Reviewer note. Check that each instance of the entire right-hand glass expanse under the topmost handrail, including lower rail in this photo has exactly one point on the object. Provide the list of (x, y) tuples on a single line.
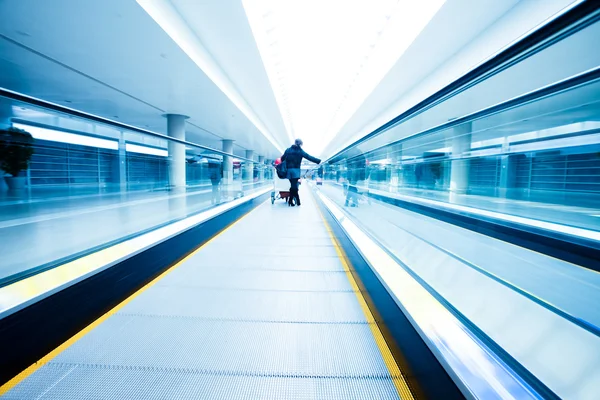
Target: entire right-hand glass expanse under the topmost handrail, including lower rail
[(520, 139)]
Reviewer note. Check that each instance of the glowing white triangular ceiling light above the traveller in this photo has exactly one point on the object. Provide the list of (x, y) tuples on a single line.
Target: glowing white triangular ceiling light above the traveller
[(324, 57)]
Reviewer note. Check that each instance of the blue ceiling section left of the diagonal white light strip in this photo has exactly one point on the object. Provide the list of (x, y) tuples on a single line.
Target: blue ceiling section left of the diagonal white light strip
[(109, 58)]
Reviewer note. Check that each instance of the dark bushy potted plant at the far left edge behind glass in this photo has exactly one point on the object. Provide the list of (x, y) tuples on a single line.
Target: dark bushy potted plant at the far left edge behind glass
[(16, 149)]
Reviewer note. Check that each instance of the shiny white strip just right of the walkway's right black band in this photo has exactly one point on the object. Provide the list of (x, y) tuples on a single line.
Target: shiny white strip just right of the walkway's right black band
[(477, 372)]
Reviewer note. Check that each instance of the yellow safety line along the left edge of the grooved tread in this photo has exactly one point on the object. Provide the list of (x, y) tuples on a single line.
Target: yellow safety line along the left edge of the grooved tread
[(48, 357)]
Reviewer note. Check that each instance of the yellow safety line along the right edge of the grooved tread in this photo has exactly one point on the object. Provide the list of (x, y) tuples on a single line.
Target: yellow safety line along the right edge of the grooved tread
[(397, 377)]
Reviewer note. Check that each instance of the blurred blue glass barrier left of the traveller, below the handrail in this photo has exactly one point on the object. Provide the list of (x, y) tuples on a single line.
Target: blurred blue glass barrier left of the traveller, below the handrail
[(89, 184)]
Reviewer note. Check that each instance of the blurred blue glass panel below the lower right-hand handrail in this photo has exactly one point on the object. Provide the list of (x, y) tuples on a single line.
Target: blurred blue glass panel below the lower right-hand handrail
[(539, 159)]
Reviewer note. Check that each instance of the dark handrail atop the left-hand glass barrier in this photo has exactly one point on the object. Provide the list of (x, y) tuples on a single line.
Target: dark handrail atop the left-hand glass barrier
[(81, 114)]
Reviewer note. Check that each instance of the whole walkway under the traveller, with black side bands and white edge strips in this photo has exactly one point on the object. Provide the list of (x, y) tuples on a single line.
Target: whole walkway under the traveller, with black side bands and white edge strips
[(252, 301)]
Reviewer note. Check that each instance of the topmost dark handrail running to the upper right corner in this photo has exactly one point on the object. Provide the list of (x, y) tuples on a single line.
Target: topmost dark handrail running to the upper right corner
[(567, 24)]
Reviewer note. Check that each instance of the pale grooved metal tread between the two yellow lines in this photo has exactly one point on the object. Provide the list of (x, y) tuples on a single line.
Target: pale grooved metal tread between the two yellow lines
[(265, 311)]
